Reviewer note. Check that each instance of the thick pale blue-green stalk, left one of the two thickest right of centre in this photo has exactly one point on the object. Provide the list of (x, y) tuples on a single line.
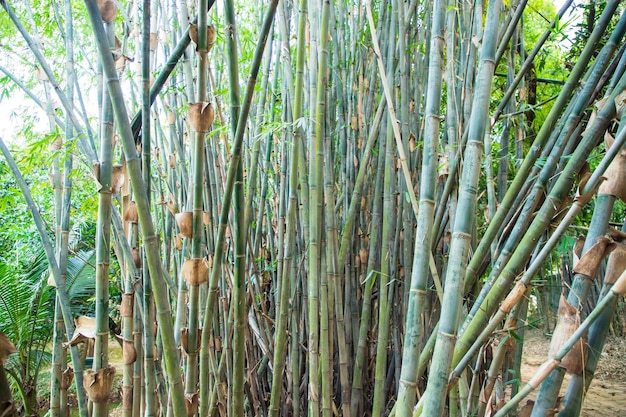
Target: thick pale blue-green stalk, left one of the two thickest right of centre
[(417, 293)]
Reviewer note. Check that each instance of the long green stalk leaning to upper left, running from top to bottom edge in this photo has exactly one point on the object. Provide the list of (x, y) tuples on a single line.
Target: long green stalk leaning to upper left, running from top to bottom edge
[(151, 241)]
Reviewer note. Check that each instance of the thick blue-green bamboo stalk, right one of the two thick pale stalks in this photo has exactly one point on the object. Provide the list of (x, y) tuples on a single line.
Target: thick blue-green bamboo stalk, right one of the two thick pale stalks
[(464, 221)]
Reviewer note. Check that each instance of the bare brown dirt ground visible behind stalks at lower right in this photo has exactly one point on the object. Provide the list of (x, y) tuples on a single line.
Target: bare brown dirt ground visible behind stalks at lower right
[(607, 393)]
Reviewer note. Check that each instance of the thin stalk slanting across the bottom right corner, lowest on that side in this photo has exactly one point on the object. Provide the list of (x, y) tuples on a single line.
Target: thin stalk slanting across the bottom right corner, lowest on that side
[(619, 288)]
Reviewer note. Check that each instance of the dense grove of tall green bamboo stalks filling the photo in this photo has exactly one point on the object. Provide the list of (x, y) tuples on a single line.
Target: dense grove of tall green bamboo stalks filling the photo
[(328, 208)]
